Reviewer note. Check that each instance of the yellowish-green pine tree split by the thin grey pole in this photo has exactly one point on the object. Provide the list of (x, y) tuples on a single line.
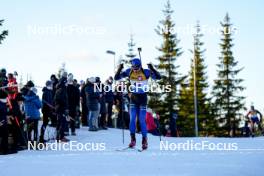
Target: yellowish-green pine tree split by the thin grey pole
[(186, 100)]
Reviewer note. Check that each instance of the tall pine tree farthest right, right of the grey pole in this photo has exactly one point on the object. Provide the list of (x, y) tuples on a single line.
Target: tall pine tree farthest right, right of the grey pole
[(227, 87)]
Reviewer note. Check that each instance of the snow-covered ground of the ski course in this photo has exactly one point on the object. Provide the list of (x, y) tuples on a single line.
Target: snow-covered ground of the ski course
[(247, 160)]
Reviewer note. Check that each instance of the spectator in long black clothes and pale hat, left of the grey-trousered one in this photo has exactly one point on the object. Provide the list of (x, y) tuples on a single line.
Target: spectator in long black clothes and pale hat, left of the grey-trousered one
[(74, 101)]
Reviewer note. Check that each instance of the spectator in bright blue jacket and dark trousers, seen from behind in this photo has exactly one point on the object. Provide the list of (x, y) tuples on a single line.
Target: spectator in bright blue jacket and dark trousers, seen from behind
[(32, 105)]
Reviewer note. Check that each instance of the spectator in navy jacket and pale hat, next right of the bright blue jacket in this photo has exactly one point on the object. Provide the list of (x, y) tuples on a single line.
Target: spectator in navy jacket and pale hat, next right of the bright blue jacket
[(47, 108)]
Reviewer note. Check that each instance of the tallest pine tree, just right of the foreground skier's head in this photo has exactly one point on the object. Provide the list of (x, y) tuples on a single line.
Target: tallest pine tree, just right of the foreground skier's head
[(167, 101)]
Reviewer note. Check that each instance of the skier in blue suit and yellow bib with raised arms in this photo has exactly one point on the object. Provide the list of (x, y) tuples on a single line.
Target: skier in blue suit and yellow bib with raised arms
[(138, 101)]
